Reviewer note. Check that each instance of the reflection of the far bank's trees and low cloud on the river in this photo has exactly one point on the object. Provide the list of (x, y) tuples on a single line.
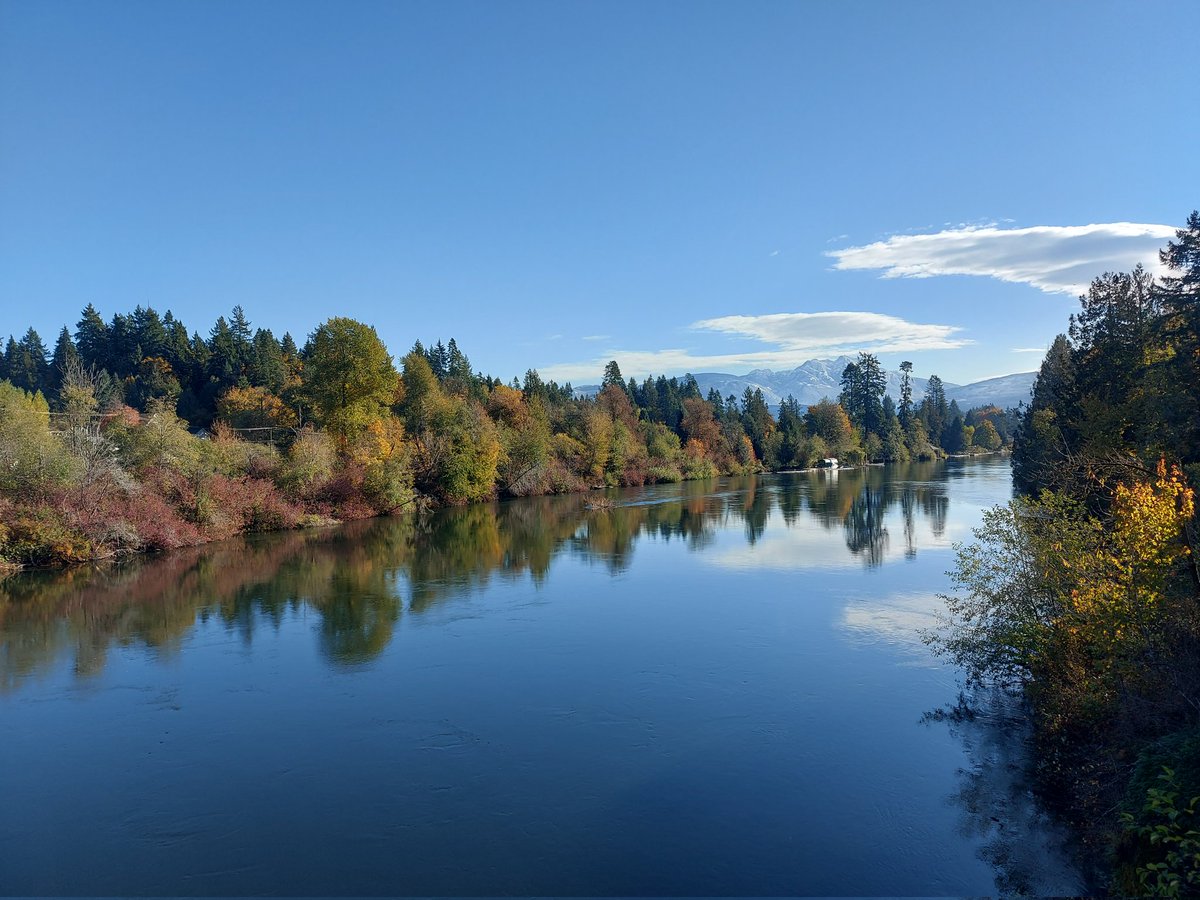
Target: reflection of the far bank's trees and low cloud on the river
[(361, 579)]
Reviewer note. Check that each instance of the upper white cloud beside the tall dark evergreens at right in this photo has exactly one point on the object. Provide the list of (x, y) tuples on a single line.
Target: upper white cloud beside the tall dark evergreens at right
[(1058, 260)]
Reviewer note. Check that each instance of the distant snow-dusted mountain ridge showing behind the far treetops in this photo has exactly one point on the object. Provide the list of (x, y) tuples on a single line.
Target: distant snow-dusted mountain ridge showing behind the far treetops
[(820, 379)]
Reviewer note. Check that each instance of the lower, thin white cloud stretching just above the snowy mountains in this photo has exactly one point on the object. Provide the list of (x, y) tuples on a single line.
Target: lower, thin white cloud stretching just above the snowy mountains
[(790, 339)]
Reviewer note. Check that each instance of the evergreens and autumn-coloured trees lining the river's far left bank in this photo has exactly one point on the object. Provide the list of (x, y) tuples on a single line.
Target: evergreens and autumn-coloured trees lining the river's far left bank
[(136, 435)]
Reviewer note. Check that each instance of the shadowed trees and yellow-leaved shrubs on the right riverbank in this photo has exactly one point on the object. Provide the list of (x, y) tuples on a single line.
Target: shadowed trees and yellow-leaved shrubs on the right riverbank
[(1084, 593)]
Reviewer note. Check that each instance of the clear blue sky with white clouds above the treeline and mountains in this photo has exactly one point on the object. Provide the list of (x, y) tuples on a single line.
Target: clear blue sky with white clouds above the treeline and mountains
[(676, 185)]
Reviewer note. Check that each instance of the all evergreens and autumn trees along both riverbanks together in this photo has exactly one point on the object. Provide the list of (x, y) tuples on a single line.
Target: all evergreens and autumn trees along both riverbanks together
[(1083, 596)]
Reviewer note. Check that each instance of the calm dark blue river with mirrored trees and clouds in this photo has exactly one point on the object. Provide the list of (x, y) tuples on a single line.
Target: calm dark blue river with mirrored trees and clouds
[(710, 689)]
